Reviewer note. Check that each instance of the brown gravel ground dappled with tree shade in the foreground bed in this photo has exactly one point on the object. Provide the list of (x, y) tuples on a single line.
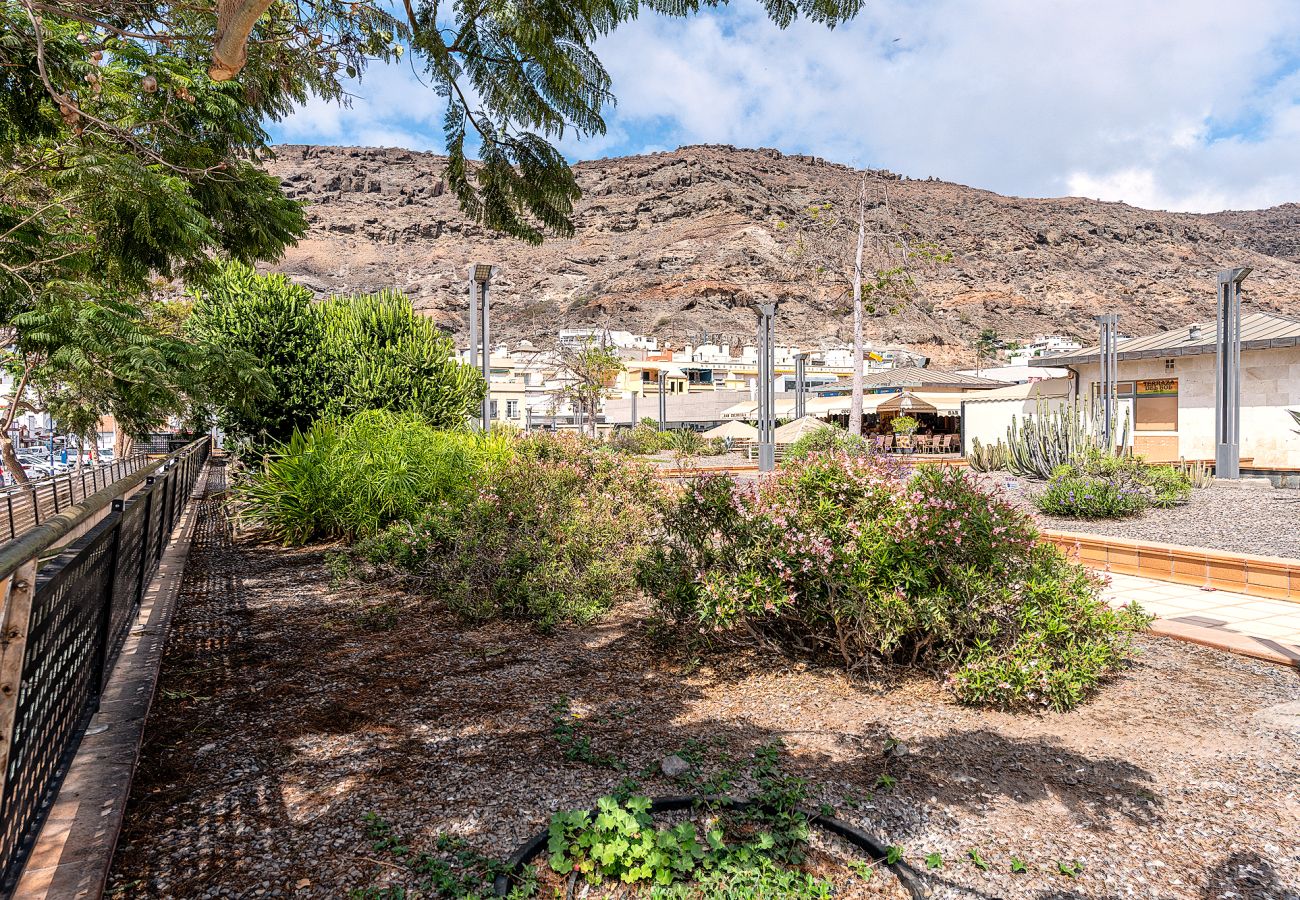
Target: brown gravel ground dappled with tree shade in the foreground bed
[(289, 709)]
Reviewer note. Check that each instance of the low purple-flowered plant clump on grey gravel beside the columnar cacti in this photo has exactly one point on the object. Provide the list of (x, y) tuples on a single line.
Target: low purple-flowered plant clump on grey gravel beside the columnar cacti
[(1106, 486)]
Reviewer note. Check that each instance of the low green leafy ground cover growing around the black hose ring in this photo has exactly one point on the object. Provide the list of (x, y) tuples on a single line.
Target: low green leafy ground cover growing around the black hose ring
[(716, 850)]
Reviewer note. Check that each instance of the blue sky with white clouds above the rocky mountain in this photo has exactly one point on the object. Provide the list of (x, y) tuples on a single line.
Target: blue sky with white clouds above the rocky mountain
[(1176, 105)]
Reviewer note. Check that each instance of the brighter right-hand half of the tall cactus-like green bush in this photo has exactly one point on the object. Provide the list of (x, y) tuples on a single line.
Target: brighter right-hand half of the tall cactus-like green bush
[(387, 357)]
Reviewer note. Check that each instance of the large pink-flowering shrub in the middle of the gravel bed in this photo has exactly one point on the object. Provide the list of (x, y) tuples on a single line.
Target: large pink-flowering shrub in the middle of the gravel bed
[(834, 556)]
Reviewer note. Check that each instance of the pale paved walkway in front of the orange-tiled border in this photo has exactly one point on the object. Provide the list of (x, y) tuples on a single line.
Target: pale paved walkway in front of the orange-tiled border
[(1260, 628)]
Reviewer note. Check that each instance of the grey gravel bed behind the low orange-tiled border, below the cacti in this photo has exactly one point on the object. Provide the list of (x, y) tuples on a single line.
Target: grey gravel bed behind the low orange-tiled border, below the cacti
[(1234, 520)]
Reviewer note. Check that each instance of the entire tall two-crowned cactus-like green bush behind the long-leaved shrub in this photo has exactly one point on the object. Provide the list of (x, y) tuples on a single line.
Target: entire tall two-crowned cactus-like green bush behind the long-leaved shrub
[(341, 357)]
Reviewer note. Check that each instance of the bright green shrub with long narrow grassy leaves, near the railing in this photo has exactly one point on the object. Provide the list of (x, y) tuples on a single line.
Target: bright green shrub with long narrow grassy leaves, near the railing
[(354, 477)]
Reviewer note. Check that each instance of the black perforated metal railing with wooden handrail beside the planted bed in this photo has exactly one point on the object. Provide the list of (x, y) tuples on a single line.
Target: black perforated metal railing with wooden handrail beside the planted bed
[(63, 625)]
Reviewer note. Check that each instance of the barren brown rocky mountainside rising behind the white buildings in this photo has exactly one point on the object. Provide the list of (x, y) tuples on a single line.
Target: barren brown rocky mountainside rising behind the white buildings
[(682, 244)]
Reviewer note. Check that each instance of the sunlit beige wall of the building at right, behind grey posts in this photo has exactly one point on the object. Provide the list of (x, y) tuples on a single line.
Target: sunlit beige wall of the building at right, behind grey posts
[(1271, 386)]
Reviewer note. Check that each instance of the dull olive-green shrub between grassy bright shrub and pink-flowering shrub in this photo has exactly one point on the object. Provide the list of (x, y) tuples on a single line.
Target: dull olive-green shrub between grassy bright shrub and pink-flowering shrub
[(553, 536)]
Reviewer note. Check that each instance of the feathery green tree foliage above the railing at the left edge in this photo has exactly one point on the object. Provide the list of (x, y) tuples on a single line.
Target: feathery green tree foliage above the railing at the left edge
[(123, 166)]
